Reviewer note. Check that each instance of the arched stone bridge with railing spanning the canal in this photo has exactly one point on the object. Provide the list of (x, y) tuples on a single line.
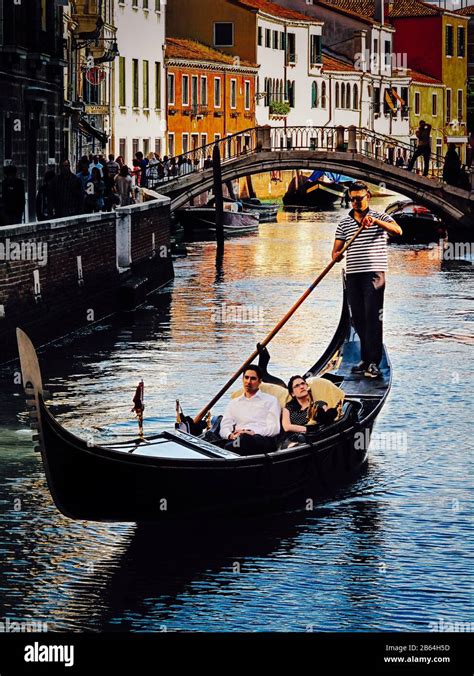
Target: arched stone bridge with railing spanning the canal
[(356, 152)]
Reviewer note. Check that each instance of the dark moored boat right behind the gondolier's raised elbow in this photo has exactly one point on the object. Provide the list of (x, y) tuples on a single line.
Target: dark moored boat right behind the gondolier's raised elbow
[(419, 224)]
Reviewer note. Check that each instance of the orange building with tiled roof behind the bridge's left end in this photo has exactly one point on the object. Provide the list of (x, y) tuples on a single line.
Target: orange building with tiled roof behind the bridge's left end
[(210, 95)]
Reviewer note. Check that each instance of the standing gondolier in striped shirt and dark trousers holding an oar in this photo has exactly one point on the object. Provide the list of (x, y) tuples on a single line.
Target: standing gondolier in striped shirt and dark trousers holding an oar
[(365, 269)]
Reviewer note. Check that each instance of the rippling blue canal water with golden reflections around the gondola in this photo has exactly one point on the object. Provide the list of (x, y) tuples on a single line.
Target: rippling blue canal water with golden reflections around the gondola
[(390, 552)]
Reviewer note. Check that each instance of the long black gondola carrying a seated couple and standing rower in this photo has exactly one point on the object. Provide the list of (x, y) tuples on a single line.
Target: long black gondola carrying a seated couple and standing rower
[(175, 475)]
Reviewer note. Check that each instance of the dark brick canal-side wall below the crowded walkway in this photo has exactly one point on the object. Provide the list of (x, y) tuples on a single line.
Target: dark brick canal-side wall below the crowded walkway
[(47, 292)]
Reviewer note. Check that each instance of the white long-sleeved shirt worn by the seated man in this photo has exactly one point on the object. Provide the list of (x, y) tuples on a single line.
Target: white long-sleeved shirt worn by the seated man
[(260, 414)]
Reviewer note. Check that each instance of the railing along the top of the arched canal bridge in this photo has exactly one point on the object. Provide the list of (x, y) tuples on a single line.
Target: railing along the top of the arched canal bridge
[(363, 141)]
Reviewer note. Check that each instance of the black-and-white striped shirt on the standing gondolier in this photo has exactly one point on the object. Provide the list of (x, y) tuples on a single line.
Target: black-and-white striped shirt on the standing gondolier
[(369, 251)]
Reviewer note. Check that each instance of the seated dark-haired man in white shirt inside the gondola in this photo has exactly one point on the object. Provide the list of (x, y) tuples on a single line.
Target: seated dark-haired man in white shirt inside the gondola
[(251, 422)]
